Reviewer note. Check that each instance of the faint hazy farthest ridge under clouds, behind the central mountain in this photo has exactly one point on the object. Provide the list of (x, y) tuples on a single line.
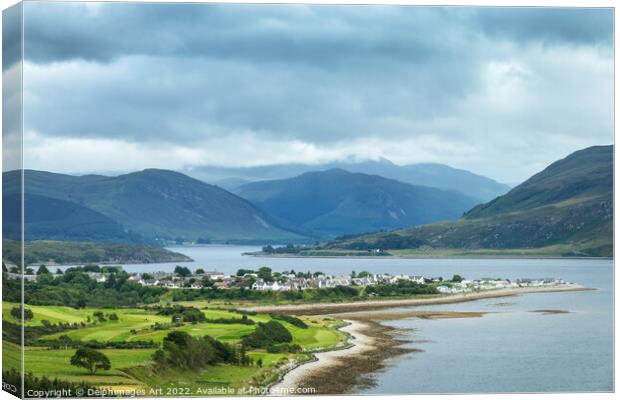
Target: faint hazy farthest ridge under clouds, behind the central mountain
[(432, 175)]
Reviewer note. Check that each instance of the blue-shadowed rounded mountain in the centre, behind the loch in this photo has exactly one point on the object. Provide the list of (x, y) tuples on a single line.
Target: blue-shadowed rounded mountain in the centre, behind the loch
[(336, 202)]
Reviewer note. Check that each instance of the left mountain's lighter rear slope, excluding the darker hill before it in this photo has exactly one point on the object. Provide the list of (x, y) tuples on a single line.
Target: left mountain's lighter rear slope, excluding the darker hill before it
[(158, 204)]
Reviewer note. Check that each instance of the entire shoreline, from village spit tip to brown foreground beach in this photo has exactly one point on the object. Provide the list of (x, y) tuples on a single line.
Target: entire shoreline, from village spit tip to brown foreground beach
[(370, 343)]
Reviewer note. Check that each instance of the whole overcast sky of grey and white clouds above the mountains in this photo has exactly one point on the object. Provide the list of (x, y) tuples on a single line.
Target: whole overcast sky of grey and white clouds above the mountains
[(502, 92)]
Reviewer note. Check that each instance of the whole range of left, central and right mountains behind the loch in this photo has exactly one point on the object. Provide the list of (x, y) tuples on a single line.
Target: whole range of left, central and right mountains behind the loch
[(566, 209)]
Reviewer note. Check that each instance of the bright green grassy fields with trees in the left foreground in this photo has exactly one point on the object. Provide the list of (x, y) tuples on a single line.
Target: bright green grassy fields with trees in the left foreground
[(130, 367)]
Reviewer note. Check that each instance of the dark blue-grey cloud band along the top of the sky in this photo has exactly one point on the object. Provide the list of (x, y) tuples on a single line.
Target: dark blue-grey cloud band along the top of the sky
[(320, 35)]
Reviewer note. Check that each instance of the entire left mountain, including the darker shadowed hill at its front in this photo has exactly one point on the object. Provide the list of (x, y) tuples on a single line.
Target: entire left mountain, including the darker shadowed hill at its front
[(151, 203)]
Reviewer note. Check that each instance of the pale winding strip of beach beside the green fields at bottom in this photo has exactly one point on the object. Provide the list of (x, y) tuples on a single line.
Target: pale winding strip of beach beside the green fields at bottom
[(360, 343)]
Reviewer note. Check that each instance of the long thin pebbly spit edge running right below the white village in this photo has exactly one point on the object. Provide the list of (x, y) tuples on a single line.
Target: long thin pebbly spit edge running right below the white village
[(330, 308)]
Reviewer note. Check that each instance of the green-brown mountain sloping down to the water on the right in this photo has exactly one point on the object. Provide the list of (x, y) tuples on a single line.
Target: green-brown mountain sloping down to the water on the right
[(567, 209)]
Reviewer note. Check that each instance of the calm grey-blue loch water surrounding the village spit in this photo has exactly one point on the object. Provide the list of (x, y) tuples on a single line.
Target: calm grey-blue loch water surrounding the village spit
[(508, 350)]
